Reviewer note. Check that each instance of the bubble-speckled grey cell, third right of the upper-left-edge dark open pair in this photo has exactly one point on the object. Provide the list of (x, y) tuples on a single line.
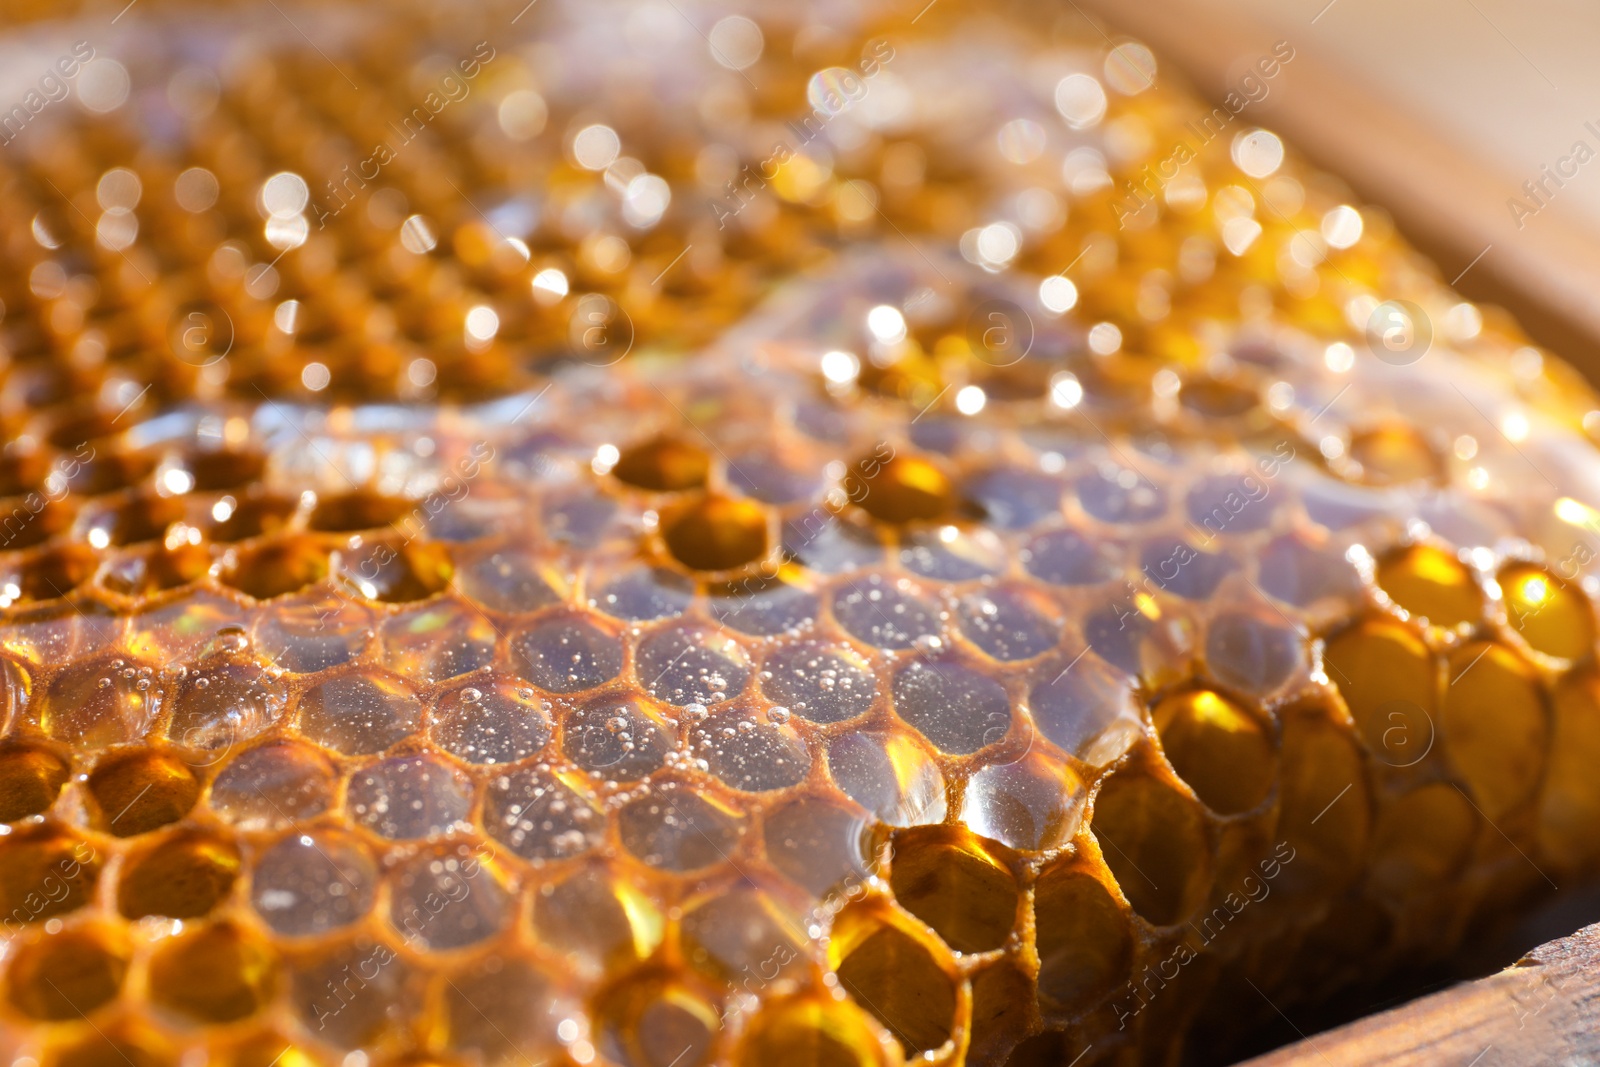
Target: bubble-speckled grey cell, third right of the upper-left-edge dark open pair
[(542, 817)]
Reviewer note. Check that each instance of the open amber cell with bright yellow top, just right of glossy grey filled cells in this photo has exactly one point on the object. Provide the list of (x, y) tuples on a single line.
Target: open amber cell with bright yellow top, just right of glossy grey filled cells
[(1218, 748)]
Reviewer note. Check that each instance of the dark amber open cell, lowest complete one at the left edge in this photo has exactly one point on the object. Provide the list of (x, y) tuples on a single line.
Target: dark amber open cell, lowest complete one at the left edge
[(65, 977)]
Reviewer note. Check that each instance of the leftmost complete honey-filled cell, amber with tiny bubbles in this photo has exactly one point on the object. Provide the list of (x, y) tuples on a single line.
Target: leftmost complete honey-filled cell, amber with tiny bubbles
[(97, 703)]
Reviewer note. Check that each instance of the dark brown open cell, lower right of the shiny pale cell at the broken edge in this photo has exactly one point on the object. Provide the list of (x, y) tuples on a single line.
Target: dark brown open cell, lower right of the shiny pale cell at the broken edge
[(1086, 945)]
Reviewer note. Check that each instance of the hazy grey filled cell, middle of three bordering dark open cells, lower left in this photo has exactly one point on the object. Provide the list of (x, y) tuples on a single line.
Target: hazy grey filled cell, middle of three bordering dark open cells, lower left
[(313, 884)]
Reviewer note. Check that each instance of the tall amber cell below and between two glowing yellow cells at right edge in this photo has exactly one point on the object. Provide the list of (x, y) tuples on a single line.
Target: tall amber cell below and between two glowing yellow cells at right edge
[(1495, 725)]
